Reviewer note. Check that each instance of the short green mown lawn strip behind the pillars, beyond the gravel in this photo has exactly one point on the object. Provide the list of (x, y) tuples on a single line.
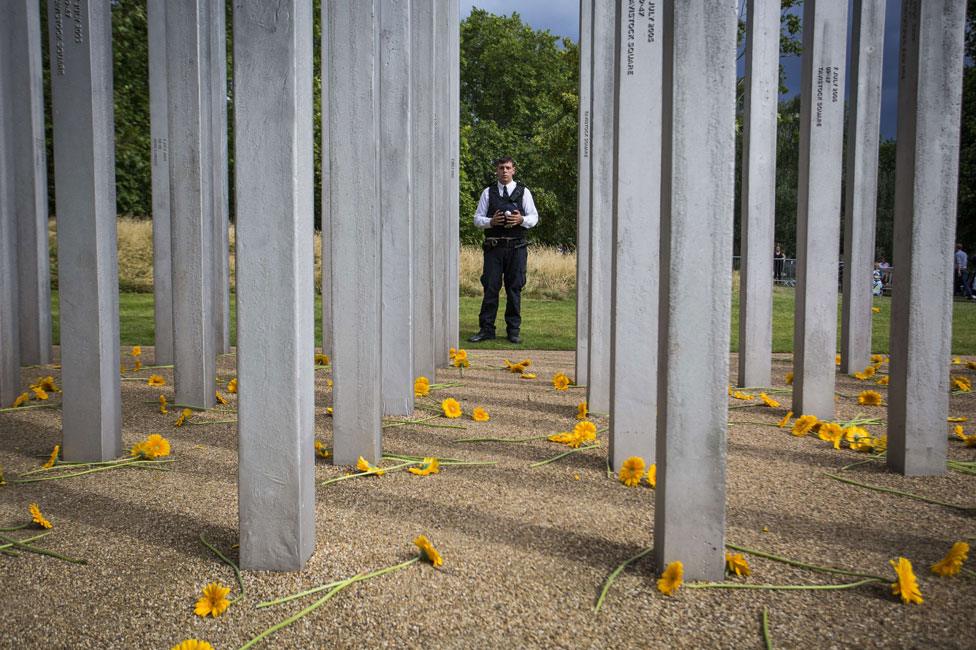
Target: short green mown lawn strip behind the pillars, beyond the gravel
[(551, 324)]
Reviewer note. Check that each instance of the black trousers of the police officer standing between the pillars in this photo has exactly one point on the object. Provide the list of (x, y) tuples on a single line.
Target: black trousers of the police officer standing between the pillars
[(508, 263)]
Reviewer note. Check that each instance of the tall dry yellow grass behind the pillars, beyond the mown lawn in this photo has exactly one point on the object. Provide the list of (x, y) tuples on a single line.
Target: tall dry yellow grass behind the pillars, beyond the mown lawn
[(551, 274)]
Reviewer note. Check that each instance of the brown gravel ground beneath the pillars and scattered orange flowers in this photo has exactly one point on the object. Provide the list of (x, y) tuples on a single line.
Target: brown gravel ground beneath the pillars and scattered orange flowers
[(525, 550)]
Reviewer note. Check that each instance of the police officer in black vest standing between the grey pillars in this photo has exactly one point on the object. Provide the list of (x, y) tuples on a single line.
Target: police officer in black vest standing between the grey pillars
[(506, 210)]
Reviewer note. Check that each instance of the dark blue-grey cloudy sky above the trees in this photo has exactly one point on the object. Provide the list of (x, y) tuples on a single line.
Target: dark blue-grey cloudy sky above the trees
[(561, 17)]
